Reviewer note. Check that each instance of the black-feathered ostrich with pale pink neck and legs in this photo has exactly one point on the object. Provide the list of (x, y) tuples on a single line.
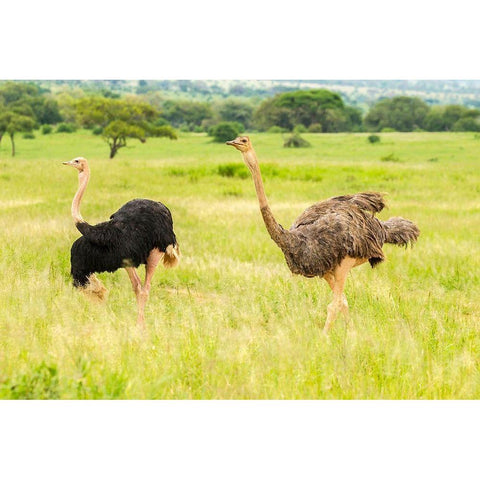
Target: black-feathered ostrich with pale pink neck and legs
[(140, 232)]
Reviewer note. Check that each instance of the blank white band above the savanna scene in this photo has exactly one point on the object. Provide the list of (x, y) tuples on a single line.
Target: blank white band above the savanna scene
[(189, 39)]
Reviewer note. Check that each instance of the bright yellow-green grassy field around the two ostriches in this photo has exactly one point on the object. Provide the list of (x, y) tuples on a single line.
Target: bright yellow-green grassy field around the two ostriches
[(231, 322)]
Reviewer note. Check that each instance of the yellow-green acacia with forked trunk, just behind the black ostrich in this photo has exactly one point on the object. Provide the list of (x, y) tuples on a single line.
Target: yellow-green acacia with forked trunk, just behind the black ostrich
[(121, 119)]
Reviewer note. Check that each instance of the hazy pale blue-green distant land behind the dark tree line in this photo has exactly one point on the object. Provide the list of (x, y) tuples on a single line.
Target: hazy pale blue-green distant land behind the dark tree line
[(361, 93)]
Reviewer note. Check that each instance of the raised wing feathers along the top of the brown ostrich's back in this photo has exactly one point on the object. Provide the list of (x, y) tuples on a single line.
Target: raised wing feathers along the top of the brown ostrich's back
[(372, 202)]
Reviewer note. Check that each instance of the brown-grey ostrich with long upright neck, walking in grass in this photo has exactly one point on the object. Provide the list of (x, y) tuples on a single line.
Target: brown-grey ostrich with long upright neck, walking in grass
[(331, 237)]
